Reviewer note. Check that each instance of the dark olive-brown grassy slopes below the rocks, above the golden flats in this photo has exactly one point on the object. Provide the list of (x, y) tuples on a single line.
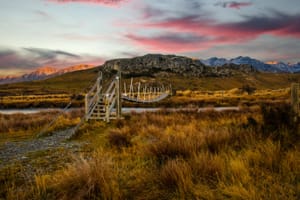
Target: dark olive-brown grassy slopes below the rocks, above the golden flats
[(79, 81)]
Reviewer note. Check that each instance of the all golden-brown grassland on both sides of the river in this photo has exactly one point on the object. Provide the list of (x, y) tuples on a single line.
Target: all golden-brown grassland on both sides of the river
[(251, 153)]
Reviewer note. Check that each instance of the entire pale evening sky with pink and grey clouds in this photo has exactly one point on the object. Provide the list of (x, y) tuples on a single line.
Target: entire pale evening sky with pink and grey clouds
[(61, 33)]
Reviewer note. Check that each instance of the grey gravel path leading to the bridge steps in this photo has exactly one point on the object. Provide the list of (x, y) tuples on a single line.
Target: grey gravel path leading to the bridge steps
[(12, 152)]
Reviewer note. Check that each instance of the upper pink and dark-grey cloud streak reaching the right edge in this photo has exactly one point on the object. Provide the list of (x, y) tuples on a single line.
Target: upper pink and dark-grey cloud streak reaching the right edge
[(250, 28)]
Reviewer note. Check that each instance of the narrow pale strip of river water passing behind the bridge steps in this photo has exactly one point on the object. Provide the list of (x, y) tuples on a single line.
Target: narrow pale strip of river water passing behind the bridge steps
[(124, 110)]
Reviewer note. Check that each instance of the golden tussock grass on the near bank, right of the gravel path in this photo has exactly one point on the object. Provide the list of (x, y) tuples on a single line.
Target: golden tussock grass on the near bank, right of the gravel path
[(252, 153)]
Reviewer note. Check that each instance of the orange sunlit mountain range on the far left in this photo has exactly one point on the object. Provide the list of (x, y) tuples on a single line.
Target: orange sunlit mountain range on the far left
[(43, 73)]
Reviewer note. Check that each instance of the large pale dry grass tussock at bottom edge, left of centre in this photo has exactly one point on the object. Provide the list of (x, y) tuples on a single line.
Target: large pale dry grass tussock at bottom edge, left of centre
[(84, 179)]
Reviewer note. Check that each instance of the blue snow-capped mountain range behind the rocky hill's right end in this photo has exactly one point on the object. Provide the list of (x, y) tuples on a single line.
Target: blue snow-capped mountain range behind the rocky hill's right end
[(273, 66)]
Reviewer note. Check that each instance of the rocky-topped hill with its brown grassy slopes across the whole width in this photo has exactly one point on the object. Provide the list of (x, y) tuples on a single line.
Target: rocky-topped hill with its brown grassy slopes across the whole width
[(149, 68)]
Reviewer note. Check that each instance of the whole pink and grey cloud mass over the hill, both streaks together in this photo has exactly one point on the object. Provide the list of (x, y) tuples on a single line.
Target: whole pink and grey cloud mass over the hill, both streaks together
[(215, 33)]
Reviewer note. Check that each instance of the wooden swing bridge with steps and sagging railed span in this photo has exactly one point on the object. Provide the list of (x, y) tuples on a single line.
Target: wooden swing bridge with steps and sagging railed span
[(106, 103)]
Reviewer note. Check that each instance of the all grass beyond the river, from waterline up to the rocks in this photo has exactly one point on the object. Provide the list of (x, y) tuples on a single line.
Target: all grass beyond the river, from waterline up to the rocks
[(205, 91)]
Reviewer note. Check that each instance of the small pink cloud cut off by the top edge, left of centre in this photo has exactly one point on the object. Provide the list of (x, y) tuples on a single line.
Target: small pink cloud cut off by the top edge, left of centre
[(100, 2)]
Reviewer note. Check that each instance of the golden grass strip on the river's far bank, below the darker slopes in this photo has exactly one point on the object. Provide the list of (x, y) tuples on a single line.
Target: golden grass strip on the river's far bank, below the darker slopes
[(186, 98)]
